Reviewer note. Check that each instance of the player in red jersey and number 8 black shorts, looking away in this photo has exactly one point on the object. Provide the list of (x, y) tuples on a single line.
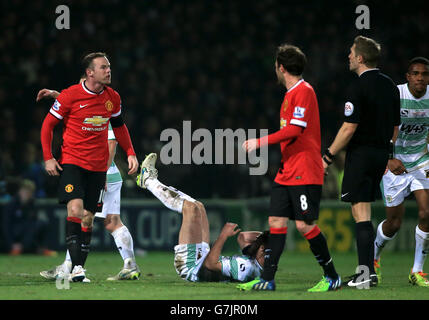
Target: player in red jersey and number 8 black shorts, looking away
[(297, 188)]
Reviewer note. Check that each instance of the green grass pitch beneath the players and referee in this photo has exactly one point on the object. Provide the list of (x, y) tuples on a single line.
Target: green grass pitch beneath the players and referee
[(20, 279)]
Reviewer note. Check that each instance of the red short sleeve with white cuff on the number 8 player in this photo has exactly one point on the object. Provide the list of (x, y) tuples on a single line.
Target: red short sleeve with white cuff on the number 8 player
[(305, 104)]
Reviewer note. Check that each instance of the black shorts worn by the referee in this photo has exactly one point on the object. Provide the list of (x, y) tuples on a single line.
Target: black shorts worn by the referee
[(364, 167)]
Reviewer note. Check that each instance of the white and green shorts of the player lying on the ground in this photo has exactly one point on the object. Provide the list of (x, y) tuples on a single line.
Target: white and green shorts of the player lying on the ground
[(189, 258)]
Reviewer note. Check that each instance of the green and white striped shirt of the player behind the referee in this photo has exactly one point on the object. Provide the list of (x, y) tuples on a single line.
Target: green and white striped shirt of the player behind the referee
[(411, 144)]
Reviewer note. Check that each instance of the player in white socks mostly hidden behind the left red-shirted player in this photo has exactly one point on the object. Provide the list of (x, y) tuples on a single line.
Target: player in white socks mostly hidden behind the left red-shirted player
[(110, 213)]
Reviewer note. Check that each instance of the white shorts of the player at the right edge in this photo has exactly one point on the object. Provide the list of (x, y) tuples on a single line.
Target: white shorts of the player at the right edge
[(395, 188)]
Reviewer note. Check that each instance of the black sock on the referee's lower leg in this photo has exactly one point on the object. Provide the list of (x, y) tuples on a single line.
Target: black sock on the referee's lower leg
[(365, 244)]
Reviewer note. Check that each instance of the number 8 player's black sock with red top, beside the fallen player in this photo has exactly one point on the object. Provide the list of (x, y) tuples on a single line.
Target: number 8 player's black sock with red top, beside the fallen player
[(273, 251)]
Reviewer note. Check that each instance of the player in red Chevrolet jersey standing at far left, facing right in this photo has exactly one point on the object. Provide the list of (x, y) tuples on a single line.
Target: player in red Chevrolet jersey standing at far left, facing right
[(86, 110)]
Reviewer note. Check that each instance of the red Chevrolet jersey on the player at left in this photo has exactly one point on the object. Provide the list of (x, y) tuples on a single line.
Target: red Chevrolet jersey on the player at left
[(86, 116)]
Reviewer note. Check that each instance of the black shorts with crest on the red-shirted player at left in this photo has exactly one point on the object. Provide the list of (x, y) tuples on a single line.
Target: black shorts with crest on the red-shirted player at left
[(78, 183)]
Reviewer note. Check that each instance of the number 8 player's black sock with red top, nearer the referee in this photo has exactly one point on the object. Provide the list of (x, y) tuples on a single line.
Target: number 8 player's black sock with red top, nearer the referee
[(319, 247)]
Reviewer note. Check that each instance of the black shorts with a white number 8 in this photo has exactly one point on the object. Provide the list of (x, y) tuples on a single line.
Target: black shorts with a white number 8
[(295, 202)]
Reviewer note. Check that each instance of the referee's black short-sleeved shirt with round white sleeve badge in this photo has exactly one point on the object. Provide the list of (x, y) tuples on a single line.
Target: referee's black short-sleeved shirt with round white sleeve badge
[(374, 104)]
